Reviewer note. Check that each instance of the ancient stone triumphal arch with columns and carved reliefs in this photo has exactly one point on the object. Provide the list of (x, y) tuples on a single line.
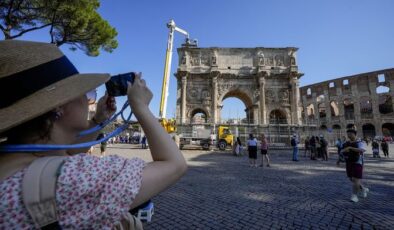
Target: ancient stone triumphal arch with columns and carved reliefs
[(266, 80)]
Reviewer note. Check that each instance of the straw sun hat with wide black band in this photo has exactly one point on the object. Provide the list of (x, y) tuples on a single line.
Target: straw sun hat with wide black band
[(36, 78)]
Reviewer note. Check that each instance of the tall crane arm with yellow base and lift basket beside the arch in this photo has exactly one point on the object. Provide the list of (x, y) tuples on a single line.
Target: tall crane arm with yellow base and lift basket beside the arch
[(170, 125)]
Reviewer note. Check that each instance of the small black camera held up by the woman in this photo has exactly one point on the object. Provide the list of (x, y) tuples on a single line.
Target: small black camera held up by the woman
[(117, 85)]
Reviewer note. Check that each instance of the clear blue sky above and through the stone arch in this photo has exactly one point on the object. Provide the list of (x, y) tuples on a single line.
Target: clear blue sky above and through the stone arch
[(335, 37)]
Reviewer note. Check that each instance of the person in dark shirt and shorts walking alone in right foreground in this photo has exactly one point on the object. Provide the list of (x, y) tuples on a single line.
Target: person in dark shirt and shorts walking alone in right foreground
[(353, 150)]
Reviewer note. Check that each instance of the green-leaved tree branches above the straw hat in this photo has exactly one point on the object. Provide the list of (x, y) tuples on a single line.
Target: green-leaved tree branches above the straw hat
[(73, 22)]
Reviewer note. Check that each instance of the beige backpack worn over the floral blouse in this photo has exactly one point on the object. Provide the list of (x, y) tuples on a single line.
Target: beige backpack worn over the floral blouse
[(39, 190)]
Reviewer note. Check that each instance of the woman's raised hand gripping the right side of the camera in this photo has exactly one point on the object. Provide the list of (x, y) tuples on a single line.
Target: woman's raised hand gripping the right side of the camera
[(138, 94)]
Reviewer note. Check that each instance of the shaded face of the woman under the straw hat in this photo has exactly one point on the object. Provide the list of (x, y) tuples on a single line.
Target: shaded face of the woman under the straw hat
[(75, 115)]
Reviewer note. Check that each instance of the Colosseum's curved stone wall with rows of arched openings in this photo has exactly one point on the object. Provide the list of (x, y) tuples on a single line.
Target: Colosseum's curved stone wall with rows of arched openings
[(364, 101)]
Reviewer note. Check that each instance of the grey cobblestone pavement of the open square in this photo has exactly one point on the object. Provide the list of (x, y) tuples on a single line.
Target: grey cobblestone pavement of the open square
[(221, 191)]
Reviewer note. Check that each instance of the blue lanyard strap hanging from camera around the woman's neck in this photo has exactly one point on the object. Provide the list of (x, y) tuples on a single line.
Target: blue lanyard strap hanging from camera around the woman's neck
[(44, 147)]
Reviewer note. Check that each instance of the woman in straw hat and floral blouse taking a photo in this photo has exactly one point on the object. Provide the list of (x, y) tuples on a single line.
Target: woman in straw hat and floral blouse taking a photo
[(44, 100)]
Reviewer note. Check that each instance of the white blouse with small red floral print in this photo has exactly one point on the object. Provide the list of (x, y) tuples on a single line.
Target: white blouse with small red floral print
[(91, 193)]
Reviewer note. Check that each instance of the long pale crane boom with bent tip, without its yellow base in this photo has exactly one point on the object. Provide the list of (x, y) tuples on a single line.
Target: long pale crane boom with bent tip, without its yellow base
[(167, 66)]
